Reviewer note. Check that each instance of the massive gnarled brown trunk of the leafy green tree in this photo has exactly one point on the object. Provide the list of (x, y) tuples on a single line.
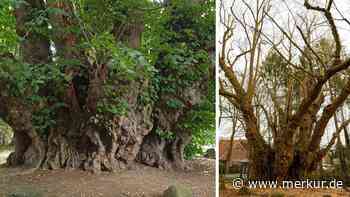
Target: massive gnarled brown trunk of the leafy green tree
[(82, 137)]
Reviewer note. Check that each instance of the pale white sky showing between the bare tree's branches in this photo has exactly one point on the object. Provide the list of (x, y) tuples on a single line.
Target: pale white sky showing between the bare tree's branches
[(280, 12)]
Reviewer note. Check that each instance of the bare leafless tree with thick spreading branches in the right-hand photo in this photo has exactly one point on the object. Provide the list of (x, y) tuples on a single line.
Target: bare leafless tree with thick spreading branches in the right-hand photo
[(292, 94)]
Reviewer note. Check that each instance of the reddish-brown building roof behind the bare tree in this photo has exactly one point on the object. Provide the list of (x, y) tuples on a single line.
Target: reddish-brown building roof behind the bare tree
[(239, 150)]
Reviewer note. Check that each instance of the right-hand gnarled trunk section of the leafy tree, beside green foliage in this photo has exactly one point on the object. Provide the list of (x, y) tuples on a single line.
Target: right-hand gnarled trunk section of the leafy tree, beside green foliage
[(169, 153)]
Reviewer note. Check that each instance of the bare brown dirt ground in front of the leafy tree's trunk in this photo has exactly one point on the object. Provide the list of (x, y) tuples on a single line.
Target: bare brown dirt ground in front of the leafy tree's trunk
[(141, 182)]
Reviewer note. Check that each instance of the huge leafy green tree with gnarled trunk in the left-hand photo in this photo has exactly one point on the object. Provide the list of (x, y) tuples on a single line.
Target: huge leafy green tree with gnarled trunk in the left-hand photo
[(95, 84)]
